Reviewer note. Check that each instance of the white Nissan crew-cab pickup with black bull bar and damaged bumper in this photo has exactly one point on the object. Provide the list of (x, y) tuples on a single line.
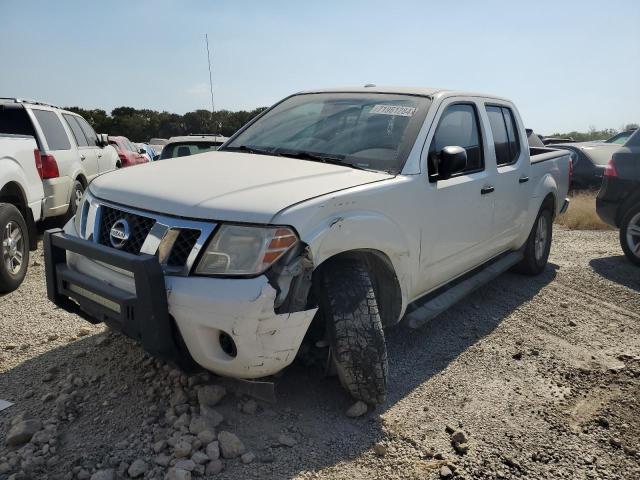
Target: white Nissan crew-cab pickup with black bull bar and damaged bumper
[(331, 216)]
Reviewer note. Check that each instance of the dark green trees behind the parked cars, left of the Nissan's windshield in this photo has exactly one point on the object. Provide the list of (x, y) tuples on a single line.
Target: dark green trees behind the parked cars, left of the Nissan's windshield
[(139, 125)]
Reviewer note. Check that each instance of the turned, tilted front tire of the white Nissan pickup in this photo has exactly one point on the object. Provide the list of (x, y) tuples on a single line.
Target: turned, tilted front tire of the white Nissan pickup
[(356, 338)]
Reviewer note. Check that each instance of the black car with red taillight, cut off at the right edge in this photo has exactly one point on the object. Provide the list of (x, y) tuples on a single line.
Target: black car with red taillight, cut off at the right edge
[(618, 202)]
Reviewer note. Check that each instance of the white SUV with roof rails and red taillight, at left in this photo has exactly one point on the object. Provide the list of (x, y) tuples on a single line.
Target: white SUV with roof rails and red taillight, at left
[(72, 153)]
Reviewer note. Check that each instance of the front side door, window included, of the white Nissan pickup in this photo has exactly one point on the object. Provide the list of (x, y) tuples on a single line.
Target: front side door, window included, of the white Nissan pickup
[(456, 225)]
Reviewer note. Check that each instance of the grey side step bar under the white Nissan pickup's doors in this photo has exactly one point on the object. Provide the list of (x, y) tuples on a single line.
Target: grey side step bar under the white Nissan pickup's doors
[(435, 306)]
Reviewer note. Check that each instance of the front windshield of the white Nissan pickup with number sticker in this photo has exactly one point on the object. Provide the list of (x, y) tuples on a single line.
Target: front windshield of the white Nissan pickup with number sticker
[(362, 130)]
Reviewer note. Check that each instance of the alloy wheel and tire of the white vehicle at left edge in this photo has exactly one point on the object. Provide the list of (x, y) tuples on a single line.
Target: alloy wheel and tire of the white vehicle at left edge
[(14, 248)]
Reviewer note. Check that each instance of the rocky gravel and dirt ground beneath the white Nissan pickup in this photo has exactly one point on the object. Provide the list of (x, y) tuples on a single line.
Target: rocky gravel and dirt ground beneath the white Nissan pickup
[(542, 374)]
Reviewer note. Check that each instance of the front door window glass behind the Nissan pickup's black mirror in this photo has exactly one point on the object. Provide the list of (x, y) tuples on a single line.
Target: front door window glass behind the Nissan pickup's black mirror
[(458, 127)]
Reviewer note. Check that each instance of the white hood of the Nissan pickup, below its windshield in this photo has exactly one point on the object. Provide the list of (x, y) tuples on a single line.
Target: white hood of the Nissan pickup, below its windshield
[(226, 185)]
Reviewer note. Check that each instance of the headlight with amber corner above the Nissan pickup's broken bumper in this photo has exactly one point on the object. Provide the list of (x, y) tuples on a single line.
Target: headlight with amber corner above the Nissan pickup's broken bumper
[(243, 250)]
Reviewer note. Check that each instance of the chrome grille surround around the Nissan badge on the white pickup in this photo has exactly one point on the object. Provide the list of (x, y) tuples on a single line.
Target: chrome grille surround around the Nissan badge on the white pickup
[(162, 236)]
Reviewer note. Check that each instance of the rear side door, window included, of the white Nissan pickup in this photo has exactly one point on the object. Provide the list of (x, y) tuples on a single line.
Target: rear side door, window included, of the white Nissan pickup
[(512, 184)]
